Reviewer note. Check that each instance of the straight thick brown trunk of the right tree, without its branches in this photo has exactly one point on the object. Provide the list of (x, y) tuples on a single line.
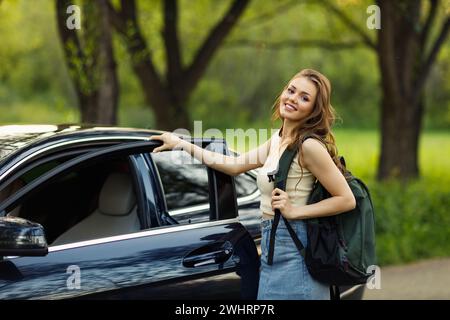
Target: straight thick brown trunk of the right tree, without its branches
[(399, 57)]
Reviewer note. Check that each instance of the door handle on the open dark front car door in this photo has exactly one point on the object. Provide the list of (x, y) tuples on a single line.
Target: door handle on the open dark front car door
[(208, 255)]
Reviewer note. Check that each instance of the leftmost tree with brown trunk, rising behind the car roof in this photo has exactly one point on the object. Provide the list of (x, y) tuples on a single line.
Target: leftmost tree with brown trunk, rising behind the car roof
[(90, 60)]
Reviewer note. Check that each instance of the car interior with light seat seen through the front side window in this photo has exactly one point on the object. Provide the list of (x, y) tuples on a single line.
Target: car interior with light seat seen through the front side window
[(94, 201)]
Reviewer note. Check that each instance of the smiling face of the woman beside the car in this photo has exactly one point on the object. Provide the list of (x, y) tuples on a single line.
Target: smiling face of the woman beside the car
[(297, 101)]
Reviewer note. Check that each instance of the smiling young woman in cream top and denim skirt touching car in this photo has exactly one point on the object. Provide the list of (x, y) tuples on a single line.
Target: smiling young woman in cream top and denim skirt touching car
[(307, 116)]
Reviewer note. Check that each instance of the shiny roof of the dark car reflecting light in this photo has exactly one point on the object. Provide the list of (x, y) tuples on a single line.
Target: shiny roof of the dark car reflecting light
[(14, 138)]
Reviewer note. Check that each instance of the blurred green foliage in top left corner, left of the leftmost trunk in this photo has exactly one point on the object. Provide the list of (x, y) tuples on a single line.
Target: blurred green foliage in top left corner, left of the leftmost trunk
[(31, 60)]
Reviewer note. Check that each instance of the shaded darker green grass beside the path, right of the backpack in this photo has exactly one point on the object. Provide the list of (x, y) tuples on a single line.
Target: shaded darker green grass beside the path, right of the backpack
[(412, 221)]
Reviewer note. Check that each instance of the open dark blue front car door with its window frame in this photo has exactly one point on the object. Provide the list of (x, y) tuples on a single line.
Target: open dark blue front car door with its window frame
[(172, 262)]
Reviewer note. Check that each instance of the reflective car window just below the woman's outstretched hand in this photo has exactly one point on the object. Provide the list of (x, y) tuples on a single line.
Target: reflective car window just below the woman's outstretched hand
[(185, 184)]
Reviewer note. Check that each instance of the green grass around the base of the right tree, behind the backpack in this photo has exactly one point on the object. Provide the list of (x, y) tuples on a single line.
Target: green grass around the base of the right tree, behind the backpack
[(412, 219)]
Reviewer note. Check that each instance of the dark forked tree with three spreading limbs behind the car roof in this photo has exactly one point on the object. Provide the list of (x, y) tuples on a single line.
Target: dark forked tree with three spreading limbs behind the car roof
[(168, 94)]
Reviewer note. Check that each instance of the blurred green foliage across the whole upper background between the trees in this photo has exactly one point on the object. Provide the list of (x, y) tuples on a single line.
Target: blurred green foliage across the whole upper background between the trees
[(242, 79)]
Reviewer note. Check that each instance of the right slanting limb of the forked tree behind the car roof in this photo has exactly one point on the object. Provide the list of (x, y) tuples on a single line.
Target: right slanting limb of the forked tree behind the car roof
[(212, 43)]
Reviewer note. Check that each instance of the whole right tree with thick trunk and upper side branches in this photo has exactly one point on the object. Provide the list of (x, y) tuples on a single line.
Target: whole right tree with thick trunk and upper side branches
[(406, 54)]
